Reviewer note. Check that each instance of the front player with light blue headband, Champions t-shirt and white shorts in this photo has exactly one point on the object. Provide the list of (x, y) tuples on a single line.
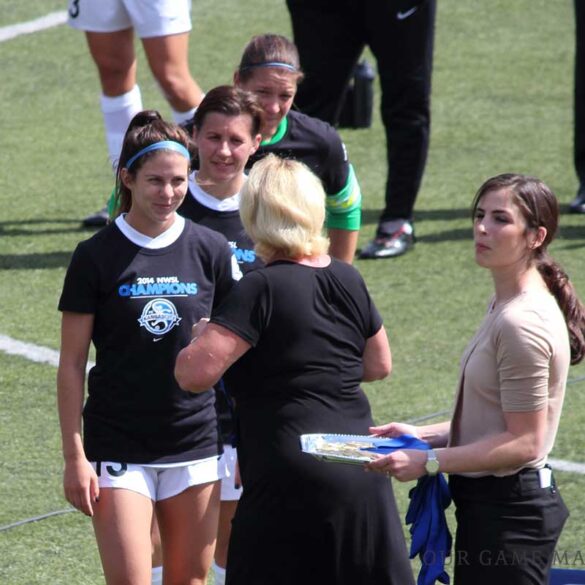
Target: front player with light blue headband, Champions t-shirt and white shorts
[(134, 290)]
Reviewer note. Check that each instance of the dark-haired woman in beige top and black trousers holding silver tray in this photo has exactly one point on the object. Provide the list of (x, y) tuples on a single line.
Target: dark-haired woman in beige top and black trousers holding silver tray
[(511, 388)]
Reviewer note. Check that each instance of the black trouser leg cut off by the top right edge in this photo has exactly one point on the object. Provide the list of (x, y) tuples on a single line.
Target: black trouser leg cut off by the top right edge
[(579, 103)]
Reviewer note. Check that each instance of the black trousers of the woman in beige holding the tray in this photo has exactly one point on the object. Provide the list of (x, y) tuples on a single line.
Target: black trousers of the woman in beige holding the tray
[(507, 529)]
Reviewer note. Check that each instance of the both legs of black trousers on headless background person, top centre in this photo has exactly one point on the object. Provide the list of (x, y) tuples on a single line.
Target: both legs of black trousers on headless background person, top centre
[(331, 35)]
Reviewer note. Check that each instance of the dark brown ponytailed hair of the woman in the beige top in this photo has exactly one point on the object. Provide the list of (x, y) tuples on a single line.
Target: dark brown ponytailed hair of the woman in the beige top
[(540, 208)]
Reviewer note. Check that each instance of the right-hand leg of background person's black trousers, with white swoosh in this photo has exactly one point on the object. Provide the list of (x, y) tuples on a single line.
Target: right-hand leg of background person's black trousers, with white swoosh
[(403, 47)]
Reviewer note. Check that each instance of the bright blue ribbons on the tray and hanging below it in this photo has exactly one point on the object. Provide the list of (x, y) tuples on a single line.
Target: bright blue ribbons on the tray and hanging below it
[(430, 536)]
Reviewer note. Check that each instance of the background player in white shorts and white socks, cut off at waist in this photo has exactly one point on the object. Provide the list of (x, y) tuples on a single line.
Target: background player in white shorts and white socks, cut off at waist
[(163, 27)]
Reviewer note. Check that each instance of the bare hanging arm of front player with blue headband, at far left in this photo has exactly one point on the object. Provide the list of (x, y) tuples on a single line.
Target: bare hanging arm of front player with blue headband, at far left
[(79, 481)]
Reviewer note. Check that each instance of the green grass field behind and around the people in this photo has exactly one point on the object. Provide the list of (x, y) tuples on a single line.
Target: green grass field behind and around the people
[(502, 101)]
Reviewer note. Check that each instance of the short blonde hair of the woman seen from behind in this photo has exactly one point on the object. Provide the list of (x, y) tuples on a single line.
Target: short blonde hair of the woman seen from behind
[(282, 208)]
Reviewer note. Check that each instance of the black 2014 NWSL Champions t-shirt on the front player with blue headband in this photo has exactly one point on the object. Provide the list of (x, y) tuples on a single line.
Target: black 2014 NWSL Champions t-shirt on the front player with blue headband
[(145, 302)]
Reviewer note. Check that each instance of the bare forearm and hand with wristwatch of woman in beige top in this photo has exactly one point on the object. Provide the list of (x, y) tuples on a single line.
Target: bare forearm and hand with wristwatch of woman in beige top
[(521, 442)]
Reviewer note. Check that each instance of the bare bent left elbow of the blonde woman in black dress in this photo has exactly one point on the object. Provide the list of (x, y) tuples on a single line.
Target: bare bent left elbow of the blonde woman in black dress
[(203, 362)]
